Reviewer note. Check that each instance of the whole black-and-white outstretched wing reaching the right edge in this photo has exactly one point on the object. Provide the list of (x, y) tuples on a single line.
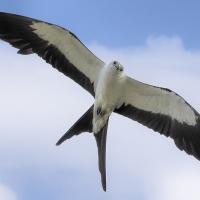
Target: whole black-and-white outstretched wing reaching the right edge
[(163, 111)]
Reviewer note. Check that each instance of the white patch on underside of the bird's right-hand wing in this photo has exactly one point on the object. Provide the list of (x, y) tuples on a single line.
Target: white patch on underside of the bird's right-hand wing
[(157, 100)]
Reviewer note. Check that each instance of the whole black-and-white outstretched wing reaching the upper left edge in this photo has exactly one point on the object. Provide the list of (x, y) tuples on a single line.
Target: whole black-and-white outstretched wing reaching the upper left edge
[(58, 46)]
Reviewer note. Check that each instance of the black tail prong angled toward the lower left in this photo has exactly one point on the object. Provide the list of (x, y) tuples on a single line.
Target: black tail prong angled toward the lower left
[(84, 124)]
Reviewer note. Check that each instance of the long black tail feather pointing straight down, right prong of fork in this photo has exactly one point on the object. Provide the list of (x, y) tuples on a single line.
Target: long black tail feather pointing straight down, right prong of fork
[(101, 145)]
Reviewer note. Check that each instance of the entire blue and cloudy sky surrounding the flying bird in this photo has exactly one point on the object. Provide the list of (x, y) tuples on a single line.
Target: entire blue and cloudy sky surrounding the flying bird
[(158, 43)]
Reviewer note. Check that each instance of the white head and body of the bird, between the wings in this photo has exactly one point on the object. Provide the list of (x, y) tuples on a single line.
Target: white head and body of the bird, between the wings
[(108, 93)]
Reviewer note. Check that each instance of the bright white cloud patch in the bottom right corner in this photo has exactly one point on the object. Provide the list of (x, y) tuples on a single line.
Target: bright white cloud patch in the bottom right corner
[(182, 185)]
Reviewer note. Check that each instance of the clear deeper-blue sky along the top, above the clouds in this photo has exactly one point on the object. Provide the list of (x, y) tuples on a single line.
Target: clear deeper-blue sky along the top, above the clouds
[(117, 23)]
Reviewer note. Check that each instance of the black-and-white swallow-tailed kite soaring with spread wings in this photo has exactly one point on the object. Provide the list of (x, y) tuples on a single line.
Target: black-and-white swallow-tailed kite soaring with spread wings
[(157, 108)]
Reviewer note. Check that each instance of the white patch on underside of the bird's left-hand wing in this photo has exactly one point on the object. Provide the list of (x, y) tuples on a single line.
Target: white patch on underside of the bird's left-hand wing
[(83, 59)]
